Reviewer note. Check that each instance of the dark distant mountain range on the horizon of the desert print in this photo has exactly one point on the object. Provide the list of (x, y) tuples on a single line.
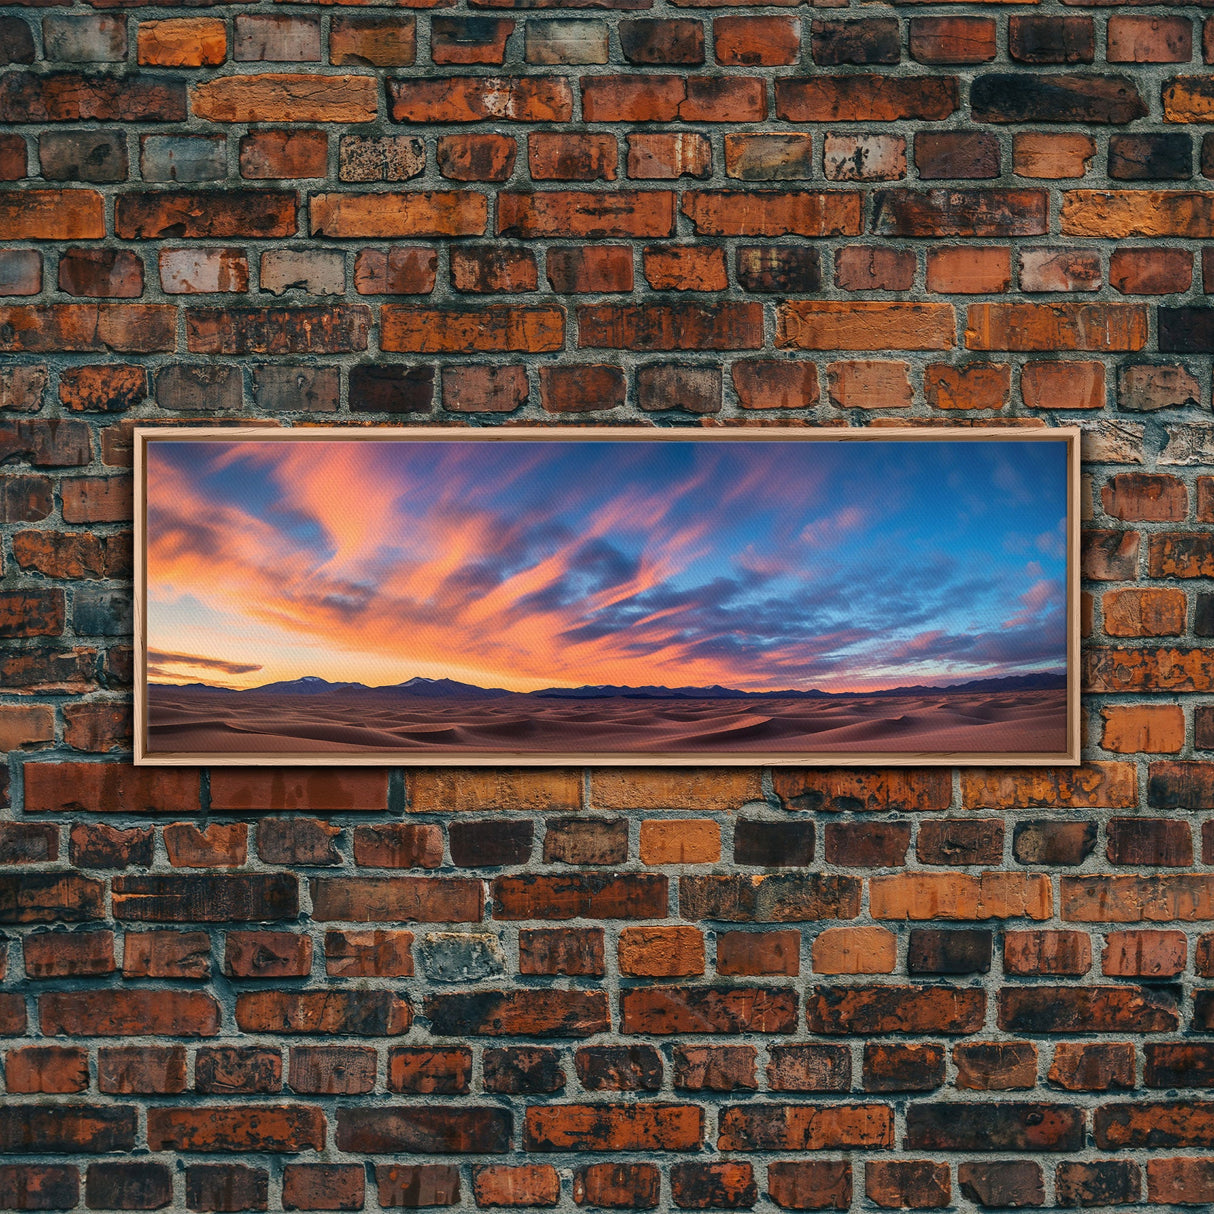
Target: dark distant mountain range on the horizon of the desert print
[(449, 689)]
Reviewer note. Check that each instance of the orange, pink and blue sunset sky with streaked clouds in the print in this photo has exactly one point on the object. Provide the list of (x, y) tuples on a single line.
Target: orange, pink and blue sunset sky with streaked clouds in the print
[(526, 565)]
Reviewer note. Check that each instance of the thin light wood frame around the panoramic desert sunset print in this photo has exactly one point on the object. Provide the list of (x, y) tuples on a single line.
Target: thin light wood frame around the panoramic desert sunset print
[(1070, 436)]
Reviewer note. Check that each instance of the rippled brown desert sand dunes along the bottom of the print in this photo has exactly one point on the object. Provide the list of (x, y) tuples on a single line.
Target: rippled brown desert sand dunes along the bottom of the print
[(209, 721)]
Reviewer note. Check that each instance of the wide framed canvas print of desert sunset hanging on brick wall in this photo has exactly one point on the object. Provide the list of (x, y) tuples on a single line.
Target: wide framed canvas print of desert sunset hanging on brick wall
[(612, 597)]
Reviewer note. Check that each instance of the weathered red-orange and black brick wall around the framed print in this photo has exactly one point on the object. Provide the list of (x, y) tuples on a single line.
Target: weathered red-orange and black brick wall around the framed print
[(803, 990)]
